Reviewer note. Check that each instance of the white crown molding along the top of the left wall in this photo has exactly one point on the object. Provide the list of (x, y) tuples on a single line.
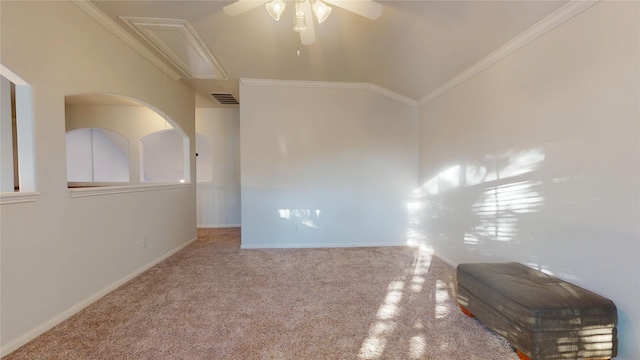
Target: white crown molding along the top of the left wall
[(90, 9)]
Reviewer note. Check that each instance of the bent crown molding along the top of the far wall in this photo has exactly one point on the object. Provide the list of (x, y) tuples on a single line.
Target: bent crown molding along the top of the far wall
[(332, 85)]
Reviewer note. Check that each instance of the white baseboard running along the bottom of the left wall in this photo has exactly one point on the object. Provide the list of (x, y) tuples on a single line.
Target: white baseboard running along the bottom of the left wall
[(32, 334)]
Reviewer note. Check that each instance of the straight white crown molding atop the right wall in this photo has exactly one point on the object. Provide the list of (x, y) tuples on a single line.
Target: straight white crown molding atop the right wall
[(566, 12)]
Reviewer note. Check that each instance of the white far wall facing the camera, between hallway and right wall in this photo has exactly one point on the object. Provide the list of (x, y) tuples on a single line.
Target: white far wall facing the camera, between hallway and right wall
[(324, 165)]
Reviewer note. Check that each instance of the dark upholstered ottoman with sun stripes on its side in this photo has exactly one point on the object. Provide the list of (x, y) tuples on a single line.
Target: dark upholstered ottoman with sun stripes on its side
[(541, 316)]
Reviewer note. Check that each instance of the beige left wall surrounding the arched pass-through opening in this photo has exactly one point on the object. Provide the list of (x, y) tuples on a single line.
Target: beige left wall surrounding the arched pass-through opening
[(59, 253)]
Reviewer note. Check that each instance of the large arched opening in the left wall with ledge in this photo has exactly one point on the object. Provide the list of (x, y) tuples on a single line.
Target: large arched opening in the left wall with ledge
[(115, 140)]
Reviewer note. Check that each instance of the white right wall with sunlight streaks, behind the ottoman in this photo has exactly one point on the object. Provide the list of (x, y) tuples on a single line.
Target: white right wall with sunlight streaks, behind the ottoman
[(536, 160)]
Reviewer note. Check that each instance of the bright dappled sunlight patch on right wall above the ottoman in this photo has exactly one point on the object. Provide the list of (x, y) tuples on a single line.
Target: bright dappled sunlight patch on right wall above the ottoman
[(483, 205)]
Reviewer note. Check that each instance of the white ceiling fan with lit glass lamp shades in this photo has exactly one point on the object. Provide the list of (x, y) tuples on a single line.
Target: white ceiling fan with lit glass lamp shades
[(303, 20)]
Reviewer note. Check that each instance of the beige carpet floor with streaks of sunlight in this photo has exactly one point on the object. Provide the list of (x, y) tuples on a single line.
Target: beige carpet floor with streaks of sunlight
[(213, 300)]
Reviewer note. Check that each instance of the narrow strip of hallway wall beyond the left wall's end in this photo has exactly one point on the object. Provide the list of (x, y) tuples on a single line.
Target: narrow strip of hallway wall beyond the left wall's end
[(218, 167)]
